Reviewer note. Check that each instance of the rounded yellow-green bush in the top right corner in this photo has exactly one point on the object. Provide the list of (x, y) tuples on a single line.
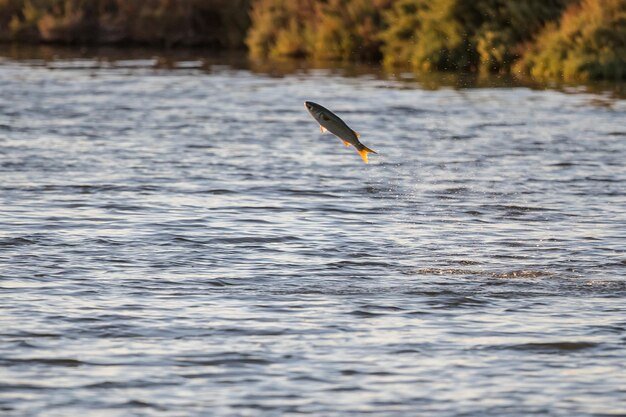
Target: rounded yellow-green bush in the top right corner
[(589, 42)]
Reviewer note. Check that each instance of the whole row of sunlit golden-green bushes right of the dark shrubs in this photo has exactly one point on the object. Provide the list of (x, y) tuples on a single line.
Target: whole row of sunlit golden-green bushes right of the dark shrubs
[(558, 39)]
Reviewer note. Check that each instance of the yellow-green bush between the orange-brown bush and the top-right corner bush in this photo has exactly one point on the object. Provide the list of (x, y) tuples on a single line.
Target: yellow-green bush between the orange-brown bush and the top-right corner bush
[(463, 35)]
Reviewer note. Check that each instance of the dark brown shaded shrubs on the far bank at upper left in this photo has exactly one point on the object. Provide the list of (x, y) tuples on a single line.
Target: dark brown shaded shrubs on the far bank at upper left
[(219, 23)]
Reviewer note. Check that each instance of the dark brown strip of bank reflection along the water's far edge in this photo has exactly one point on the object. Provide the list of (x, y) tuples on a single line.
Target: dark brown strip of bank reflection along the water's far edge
[(189, 58)]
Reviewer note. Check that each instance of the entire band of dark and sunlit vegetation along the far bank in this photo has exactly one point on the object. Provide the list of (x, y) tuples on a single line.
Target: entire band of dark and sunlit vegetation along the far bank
[(569, 40)]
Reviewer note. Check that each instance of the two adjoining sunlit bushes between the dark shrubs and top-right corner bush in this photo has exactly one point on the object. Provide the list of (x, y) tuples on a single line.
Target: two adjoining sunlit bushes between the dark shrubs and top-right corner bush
[(426, 34)]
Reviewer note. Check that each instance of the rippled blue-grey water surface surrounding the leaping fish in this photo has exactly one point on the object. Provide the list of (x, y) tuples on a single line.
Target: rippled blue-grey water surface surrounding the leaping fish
[(181, 240)]
